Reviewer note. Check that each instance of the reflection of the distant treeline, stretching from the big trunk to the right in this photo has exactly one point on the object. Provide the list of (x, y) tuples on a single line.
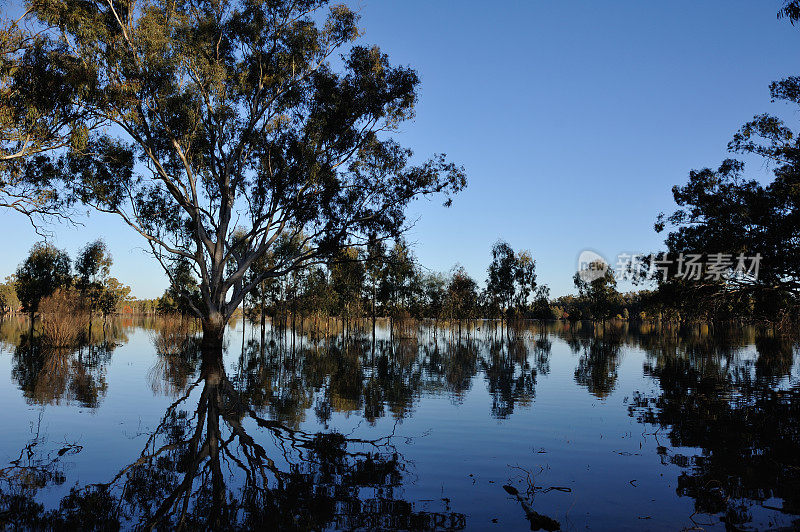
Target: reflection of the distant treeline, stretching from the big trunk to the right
[(291, 375)]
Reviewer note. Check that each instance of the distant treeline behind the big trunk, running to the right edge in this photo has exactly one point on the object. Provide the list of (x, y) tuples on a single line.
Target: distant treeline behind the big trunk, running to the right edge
[(388, 281)]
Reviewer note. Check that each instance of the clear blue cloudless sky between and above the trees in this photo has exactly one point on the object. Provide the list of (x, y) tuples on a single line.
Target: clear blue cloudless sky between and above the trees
[(573, 120)]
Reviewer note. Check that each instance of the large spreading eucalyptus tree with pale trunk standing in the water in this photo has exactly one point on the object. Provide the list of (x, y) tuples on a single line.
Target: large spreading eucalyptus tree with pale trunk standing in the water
[(230, 117)]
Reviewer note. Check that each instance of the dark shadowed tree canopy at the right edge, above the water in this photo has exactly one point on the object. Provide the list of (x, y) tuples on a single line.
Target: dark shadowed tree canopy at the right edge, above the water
[(727, 219)]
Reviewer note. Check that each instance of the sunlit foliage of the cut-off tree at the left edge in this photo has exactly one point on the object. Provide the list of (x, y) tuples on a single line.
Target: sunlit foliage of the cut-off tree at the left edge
[(39, 112)]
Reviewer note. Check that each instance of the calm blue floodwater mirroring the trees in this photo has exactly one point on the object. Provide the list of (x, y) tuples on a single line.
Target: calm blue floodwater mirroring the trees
[(556, 427)]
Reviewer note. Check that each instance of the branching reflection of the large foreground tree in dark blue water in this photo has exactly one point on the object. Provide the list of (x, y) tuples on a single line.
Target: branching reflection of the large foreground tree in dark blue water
[(215, 461)]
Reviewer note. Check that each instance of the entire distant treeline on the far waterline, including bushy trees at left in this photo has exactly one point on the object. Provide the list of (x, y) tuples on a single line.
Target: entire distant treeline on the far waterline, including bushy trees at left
[(385, 281)]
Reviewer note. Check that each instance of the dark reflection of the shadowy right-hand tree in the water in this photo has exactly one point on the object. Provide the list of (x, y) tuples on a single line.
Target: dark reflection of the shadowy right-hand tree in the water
[(741, 408)]
